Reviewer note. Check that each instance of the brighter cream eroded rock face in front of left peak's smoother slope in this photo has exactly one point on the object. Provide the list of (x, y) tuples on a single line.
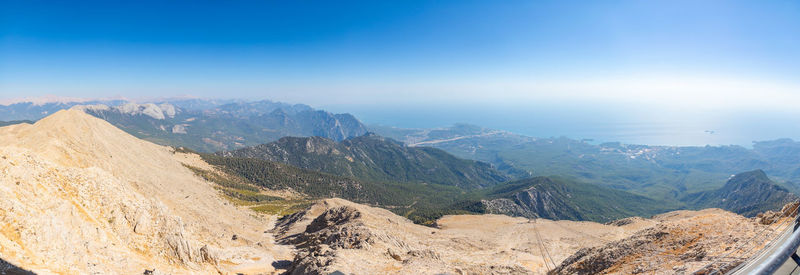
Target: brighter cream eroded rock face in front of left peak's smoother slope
[(93, 212)]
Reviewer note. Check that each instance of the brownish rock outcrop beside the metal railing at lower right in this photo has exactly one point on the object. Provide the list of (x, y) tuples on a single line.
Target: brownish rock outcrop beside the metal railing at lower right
[(681, 242)]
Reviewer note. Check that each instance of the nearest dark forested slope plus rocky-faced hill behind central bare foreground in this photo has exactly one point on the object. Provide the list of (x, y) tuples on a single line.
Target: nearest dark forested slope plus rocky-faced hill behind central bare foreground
[(553, 198)]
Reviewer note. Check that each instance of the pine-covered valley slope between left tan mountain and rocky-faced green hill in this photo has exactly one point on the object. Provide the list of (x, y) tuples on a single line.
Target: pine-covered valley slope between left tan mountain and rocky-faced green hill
[(420, 202)]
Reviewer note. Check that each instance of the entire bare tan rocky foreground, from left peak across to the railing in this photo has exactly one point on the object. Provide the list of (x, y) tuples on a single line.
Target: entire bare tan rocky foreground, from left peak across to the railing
[(79, 196)]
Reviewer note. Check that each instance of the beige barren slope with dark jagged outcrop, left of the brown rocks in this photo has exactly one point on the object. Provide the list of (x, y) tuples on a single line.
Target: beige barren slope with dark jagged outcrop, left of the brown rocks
[(338, 235)]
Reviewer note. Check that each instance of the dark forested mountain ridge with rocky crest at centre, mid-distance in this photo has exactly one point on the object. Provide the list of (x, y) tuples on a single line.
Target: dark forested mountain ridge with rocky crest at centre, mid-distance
[(374, 158)]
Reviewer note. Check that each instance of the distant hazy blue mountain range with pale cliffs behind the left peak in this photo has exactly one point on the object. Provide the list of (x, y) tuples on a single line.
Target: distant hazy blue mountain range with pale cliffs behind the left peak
[(205, 125)]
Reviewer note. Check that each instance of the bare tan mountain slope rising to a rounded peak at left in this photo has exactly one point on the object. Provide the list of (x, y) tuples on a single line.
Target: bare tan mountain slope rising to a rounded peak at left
[(78, 195)]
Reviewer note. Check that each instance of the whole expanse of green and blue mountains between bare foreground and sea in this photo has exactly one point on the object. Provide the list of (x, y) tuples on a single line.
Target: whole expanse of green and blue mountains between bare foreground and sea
[(456, 161)]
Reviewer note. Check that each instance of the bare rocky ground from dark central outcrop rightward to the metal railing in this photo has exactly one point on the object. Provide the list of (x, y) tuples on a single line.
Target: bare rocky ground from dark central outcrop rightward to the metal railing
[(337, 235)]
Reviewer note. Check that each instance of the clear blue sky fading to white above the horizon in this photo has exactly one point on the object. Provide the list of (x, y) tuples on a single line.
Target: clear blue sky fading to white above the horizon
[(690, 54)]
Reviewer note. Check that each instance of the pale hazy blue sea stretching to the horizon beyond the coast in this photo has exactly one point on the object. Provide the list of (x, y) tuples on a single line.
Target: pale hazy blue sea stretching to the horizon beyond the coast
[(626, 124)]
